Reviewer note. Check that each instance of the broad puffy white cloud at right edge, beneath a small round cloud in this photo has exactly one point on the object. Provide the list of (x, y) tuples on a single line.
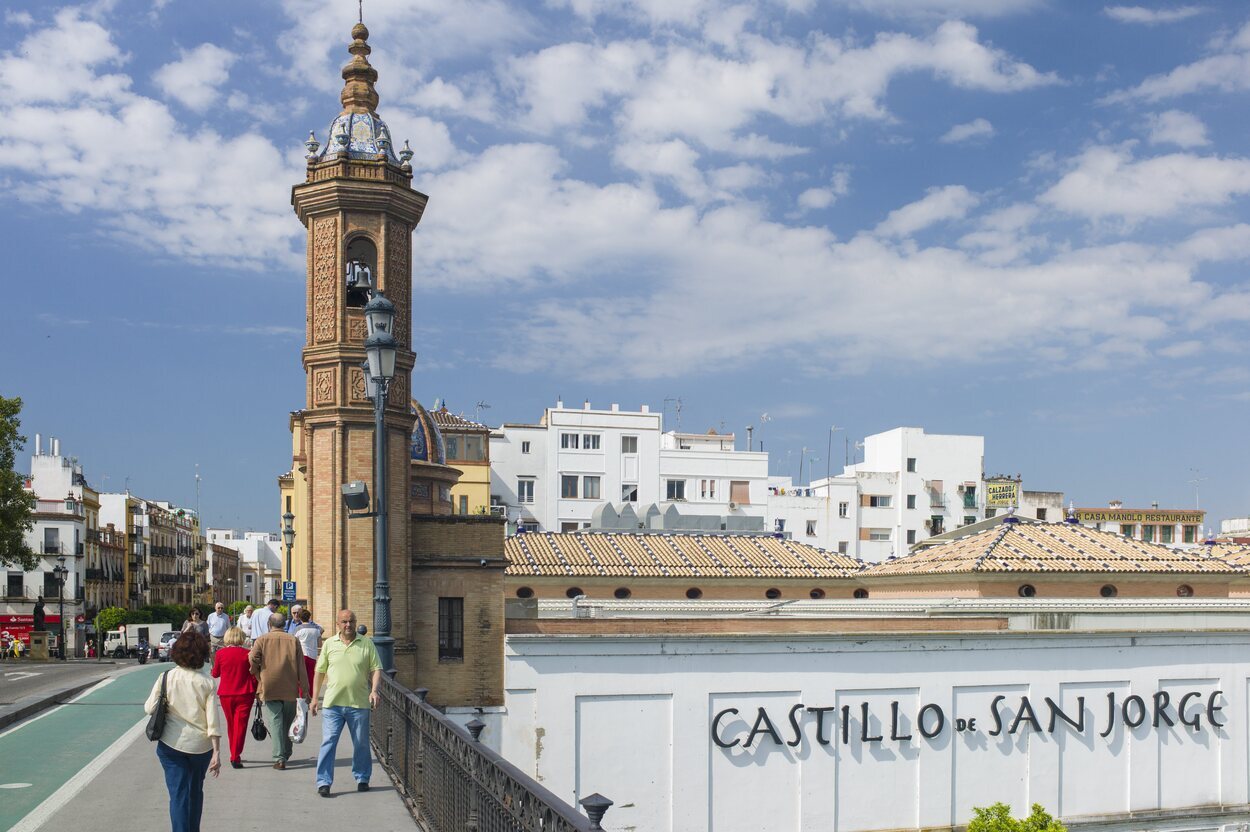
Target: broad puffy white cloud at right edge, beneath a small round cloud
[(1108, 183)]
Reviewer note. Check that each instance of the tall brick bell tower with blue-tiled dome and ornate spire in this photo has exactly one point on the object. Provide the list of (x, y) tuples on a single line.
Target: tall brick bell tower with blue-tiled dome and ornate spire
[(359, 208)]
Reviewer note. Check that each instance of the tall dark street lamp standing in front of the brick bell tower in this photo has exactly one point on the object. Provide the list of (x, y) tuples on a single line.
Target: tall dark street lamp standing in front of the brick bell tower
[(381, 350)]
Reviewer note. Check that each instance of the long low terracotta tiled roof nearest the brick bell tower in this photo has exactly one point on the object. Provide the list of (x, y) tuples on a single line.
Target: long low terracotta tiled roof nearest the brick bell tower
[(672, 555)]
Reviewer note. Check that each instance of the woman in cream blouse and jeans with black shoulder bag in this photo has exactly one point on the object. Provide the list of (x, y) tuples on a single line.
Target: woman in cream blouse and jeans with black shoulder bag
[(189, 749)]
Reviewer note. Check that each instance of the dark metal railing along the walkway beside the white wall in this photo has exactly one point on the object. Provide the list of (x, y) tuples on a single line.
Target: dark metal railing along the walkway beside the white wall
[(454, 784)]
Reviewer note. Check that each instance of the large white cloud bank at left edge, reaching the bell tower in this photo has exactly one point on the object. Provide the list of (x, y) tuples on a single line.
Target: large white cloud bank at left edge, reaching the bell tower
[(124, 158)]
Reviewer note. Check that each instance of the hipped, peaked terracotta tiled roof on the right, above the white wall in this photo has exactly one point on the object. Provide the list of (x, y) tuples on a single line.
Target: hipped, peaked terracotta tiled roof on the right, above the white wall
[(1049, 548)]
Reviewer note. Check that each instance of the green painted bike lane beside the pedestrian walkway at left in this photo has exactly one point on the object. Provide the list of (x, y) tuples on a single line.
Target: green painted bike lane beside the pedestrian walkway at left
[(52, 749)]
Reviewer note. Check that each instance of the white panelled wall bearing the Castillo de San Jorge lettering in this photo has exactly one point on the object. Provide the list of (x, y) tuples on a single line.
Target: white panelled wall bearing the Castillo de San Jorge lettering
[(886, 733)]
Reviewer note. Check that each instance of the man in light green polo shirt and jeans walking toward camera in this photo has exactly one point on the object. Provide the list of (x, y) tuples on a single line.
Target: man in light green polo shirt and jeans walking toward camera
[(349, 673)]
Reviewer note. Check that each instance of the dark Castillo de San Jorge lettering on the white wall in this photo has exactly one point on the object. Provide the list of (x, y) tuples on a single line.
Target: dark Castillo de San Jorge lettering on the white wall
[(826, 725)]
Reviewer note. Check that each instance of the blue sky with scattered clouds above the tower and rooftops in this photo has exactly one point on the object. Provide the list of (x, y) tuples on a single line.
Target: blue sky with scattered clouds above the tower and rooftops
[(1026, 219)]
